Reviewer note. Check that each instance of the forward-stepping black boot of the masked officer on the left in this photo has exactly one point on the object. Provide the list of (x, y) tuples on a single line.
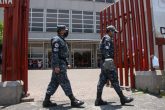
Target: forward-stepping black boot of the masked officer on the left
[(75, 102)]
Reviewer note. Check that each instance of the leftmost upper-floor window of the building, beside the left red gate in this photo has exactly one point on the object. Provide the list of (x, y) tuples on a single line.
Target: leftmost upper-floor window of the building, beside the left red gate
[(36, 20)]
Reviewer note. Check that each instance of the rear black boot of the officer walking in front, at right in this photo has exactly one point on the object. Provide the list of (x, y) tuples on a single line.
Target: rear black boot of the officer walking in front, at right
[(99, 101)]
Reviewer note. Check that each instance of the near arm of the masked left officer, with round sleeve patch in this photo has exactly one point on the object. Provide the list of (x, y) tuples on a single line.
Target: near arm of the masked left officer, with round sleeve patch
[(55, 53)]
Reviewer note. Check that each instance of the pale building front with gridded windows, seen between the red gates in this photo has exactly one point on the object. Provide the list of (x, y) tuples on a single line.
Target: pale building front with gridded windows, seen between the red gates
[(83, 21)]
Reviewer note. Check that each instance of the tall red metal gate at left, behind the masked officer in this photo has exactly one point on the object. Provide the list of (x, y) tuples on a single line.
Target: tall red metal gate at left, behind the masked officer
[(15, 41)]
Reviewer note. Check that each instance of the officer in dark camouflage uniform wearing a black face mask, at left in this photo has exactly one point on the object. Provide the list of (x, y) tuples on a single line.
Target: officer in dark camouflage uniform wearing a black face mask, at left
[(60, 54)]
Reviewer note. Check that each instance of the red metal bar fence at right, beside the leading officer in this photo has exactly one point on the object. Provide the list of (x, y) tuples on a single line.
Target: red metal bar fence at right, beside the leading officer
[(134, 44)]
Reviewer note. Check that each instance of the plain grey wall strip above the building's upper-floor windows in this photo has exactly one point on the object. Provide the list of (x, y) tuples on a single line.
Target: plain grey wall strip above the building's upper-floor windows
[(68, 4)]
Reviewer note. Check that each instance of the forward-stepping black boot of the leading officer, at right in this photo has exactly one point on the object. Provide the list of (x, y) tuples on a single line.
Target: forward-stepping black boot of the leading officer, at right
[(124, 99)]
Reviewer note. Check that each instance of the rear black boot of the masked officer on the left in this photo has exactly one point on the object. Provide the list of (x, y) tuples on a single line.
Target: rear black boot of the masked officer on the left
[(47, 102)]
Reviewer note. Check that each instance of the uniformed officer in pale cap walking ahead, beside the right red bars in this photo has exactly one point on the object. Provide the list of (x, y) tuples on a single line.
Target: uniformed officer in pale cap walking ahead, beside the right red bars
[(108, 69)]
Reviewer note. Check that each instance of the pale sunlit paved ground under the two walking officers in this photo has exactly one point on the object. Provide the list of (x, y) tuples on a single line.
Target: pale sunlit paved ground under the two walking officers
[(83, 83)]
